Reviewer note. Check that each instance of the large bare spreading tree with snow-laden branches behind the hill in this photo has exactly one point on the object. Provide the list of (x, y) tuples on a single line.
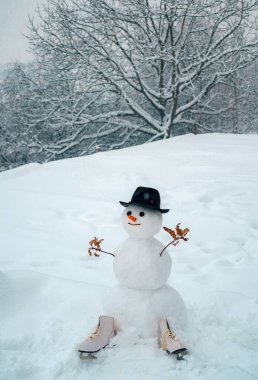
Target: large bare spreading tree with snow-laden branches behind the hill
[(144, 66)]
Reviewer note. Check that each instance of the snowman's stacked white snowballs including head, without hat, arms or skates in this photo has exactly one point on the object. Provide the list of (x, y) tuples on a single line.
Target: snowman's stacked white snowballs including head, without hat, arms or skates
[(143, 296)]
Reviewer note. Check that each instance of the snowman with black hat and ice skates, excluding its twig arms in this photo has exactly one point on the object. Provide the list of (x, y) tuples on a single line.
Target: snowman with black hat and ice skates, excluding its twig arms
[(142, 303)]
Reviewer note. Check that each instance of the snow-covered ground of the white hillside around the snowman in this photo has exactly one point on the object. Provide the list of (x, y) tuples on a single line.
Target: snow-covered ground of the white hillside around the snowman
[(50, 290)]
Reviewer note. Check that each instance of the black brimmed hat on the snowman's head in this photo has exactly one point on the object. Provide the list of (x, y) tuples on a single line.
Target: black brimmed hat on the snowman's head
[(145, 197)]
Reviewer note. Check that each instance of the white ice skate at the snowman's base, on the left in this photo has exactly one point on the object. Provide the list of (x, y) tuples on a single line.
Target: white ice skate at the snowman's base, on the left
[(99, 339)]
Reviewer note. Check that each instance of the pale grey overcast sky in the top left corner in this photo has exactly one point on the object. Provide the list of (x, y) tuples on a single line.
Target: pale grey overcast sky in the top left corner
[(13, 19)]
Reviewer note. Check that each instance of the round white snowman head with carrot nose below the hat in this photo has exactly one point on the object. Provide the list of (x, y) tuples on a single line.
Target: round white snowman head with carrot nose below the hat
[(141, 222)]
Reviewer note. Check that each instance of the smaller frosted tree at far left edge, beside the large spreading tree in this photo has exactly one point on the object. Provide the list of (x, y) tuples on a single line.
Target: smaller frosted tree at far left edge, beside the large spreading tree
[(17, 104)]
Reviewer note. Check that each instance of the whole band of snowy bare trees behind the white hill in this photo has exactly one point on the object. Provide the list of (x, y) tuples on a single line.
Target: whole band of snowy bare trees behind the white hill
[(108, 74)]
